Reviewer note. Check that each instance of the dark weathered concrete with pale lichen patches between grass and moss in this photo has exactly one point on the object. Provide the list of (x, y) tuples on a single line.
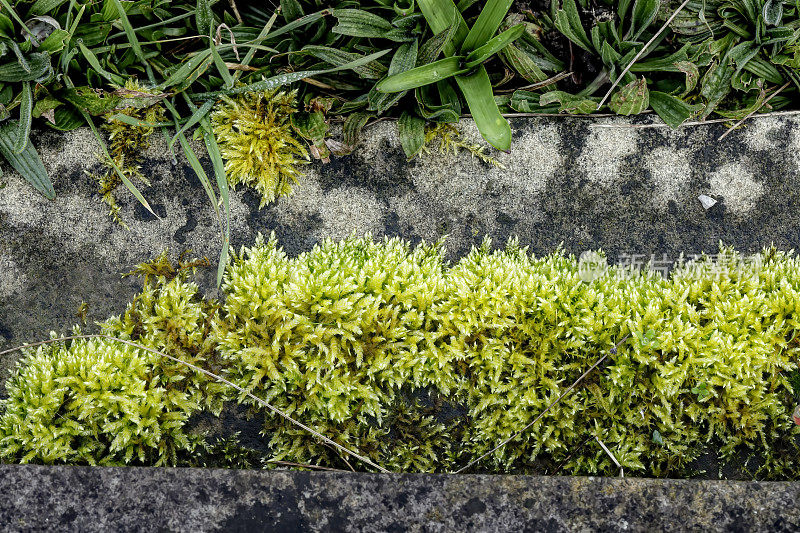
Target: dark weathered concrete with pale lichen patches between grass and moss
[(628, 190)]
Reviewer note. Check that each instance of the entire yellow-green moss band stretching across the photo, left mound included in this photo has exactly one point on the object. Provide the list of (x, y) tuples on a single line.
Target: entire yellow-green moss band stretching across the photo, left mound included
[(422, 365)]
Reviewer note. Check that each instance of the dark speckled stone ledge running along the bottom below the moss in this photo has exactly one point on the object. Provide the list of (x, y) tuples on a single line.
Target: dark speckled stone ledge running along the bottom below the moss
[(154, 499)]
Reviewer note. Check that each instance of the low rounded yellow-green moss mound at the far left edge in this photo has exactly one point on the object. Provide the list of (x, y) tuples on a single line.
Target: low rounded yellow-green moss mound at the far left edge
[(93, 402)]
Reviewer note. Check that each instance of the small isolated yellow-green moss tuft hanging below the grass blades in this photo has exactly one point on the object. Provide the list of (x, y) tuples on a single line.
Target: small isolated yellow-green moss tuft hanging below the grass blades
[(255, 137)]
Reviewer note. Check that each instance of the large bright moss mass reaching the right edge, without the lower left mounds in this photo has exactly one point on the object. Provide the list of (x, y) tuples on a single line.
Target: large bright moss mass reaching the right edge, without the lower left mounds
[(334, 335)]
